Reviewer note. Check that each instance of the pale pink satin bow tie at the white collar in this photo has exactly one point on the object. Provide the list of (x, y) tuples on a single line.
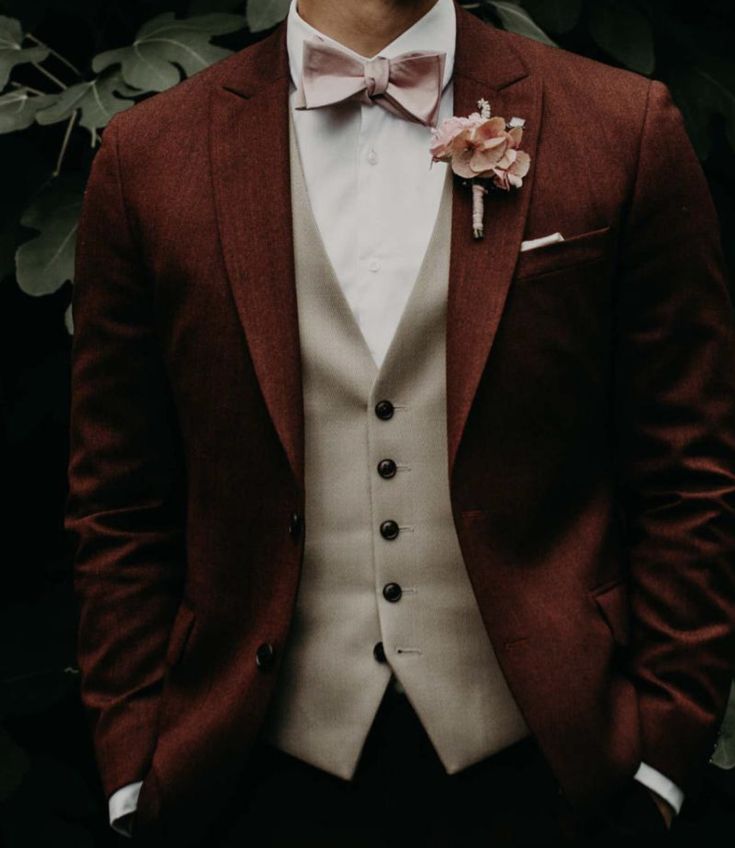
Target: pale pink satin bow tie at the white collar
[(409, 86)]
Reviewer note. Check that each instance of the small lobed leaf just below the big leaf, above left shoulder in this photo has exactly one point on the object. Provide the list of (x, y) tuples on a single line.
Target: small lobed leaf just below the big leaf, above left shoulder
[(97, 99)]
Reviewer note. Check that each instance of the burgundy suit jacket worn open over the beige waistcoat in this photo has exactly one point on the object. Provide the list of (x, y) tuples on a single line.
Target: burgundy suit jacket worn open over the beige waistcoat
[(590, 414)]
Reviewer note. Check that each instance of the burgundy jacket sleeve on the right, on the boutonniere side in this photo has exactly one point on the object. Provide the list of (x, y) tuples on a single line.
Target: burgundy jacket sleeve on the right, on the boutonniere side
[(675, 437)]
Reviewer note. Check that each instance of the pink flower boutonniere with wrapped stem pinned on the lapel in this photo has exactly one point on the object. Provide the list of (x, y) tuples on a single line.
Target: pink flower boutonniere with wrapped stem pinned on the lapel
[(484, 150)]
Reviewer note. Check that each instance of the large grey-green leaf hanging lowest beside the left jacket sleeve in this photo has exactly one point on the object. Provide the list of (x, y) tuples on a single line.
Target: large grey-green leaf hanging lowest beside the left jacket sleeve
[(46, 262)]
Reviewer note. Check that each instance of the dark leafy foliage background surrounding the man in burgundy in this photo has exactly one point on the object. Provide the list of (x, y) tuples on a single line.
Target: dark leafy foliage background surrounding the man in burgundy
[(60, 101)]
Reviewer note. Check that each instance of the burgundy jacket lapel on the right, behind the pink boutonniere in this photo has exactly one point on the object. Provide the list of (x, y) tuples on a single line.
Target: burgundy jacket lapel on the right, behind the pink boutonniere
[(481, 270)]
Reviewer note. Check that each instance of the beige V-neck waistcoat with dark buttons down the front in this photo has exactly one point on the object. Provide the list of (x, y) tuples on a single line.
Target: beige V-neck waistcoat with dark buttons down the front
[(330, 684)]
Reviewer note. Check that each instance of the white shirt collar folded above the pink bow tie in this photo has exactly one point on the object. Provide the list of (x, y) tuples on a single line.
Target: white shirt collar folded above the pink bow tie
[(436, 30)]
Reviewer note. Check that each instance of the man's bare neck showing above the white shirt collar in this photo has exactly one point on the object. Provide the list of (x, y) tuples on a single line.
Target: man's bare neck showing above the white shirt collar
[(365, 26)]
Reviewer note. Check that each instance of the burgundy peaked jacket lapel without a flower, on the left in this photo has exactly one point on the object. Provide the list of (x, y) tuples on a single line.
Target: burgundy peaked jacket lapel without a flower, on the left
[(248, 144)]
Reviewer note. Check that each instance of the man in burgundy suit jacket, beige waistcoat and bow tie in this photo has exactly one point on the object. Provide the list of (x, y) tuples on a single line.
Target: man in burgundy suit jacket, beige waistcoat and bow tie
[(369, 511)]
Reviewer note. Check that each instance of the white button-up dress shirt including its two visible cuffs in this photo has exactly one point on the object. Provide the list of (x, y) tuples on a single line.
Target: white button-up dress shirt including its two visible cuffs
[(375, 199)]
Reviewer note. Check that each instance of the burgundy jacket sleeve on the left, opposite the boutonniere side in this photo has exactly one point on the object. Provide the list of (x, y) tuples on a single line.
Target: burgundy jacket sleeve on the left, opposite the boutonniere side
[(125, 505)]
